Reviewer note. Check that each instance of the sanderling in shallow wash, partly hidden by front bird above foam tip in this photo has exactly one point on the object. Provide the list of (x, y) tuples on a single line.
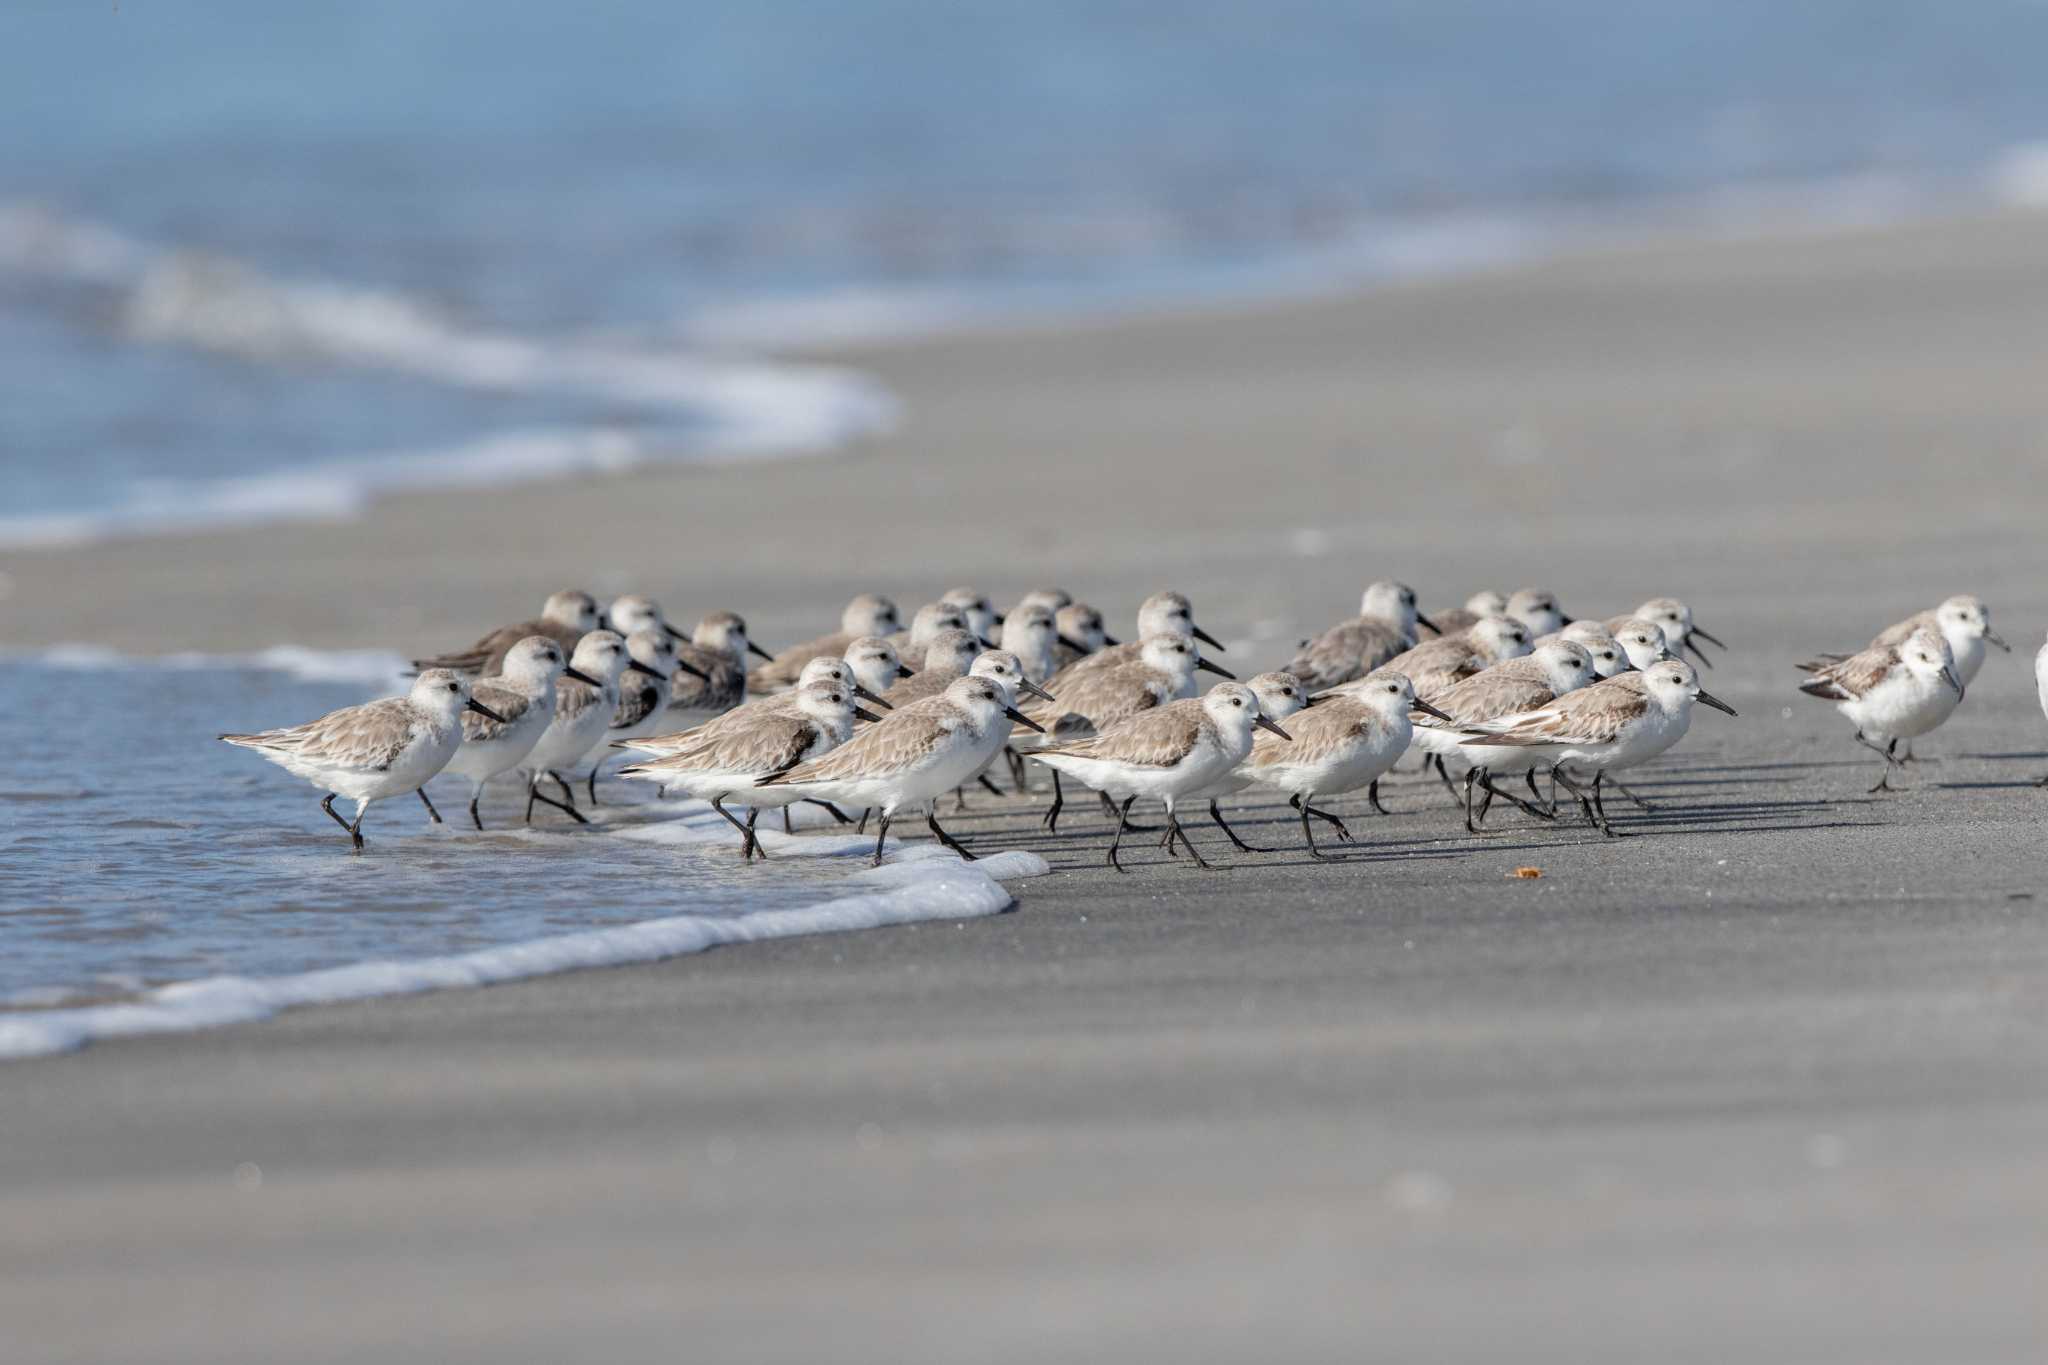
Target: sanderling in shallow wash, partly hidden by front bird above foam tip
[(724, 760)]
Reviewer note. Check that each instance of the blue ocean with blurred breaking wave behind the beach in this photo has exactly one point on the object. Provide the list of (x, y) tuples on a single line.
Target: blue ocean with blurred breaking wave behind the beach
[(263, 261)]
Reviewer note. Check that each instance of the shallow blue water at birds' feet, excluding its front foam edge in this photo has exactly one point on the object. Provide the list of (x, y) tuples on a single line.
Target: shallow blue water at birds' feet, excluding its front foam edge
[(136, 850)]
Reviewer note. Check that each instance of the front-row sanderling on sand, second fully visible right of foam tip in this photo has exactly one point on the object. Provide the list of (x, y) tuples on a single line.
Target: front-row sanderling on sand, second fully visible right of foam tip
[(1349, 742)]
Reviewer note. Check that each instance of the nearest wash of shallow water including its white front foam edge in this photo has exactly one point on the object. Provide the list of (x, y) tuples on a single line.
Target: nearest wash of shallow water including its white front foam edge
[(155, 879)]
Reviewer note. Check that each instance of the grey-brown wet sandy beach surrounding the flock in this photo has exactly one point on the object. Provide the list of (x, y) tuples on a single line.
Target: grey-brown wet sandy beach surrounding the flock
[(1764, 1082)]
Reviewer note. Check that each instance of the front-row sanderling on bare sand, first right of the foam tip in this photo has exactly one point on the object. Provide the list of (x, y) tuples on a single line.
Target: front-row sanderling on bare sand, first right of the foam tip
[(1172, 752)]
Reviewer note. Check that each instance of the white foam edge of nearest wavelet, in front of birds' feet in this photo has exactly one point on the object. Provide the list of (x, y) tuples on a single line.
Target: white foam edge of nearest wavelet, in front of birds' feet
[(921, 883)]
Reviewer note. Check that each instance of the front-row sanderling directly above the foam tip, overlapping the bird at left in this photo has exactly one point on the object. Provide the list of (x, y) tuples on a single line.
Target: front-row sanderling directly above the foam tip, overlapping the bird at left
[(912, 756)]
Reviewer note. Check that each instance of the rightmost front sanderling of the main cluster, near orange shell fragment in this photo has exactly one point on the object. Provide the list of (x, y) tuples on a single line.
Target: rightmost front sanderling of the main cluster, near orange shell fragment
[(1611, 725)]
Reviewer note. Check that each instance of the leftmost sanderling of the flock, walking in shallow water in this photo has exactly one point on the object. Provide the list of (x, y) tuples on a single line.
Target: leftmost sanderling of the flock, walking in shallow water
[(378, 750)]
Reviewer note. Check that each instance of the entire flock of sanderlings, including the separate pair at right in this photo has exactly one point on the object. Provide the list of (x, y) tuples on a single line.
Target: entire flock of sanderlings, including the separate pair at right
[(1506, 687)]
